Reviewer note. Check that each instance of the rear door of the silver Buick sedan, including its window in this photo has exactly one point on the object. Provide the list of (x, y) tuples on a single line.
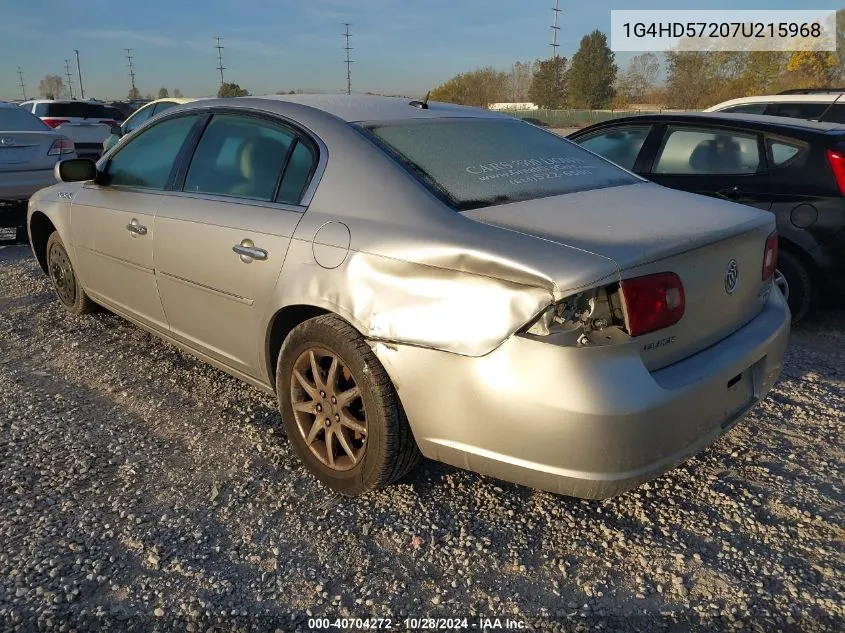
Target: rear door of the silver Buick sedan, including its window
[(220, 244)]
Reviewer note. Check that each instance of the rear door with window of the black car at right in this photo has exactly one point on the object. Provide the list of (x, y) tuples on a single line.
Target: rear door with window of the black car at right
[(712, 161)]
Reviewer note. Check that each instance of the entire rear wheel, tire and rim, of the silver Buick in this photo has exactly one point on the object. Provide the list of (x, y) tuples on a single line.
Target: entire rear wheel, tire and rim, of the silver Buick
[(381, 455)]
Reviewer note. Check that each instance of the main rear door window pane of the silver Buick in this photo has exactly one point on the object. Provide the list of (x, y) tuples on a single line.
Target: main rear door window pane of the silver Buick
[(239, 156)]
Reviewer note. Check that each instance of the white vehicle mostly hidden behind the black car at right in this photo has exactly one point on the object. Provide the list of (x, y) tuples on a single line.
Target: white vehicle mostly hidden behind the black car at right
[(812, 104)]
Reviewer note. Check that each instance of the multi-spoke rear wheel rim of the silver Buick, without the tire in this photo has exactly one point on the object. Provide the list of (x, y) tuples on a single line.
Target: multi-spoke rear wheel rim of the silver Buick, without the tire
[(328, 409)]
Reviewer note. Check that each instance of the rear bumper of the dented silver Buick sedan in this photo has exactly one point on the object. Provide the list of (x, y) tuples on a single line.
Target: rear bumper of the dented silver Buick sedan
[(588, 422)]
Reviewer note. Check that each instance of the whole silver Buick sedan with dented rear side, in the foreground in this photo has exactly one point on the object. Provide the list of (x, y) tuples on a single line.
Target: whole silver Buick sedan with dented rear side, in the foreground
[(421, 278)]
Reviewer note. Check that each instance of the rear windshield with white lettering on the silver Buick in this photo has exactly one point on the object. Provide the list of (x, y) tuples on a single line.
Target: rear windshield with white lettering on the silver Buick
[(473, 163)]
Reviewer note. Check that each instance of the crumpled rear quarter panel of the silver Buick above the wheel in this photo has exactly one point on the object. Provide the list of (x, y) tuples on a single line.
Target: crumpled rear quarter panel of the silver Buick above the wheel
[(417, 272)]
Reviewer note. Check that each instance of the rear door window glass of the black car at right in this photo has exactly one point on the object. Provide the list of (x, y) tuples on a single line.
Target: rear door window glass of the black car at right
[(701, 151)]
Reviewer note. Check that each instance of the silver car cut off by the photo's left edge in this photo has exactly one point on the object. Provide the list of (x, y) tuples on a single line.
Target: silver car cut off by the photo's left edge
[(29, 150)]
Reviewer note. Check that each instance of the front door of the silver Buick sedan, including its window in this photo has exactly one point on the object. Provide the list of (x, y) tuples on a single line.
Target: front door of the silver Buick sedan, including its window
[(113, 223)]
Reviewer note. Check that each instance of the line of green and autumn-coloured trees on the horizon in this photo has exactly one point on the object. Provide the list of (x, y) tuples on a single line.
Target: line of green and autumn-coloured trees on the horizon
[(688, 80)]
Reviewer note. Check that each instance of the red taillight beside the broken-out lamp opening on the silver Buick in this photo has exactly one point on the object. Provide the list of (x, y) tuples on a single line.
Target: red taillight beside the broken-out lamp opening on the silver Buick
[(653, 302)]
